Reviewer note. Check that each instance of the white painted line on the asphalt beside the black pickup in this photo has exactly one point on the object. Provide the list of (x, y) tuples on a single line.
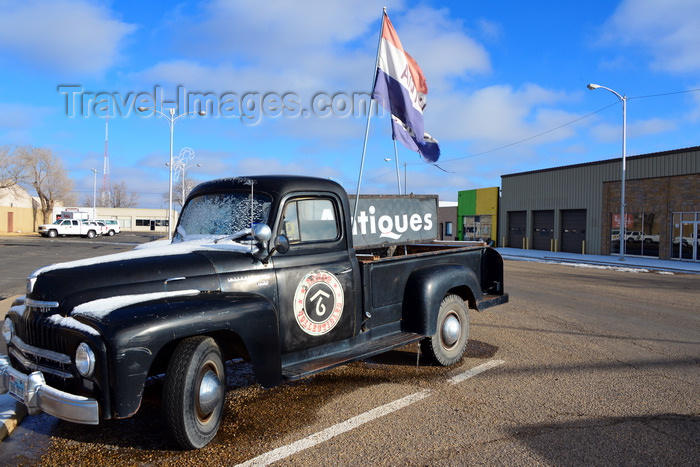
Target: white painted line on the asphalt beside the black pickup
[(352, 423)]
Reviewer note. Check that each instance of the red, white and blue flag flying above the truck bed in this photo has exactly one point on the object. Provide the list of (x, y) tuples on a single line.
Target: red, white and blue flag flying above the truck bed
[(400, 88)]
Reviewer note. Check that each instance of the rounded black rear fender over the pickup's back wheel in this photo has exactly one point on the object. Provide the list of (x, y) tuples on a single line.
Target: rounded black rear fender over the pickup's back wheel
[(425, 289)]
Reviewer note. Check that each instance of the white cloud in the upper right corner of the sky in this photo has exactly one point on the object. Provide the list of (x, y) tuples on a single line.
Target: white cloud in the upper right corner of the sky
[(668, 29)]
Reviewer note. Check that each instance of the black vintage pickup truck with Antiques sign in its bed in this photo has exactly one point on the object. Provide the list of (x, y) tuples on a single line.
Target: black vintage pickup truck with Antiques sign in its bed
[(260, 268)]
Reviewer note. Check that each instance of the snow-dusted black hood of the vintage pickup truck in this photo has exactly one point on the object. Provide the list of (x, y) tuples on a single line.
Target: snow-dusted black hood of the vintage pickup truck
[(172, 269)]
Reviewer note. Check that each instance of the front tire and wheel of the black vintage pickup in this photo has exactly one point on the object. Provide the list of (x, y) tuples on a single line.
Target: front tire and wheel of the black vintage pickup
[(195, 370)]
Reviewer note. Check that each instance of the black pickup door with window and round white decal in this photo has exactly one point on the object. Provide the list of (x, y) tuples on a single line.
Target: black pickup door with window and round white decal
[(316, 278)]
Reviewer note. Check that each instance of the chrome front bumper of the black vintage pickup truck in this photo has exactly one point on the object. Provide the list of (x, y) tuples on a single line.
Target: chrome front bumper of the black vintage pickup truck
[(32, 391)]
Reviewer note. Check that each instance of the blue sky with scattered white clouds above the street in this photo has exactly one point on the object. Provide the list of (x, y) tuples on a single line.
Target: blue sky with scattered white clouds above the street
[(507, 86)]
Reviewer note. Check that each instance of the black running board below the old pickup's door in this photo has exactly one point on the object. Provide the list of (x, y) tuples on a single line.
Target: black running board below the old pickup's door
[(360, 352)]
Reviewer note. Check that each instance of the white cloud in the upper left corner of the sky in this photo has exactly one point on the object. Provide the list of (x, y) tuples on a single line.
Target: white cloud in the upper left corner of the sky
[(61, 35)]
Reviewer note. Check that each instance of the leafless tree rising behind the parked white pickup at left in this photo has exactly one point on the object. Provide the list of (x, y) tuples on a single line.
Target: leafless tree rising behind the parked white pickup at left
[(45, 173)]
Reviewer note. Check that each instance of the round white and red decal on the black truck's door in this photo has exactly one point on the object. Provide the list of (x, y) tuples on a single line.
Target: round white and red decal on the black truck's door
[(318, 302)]
